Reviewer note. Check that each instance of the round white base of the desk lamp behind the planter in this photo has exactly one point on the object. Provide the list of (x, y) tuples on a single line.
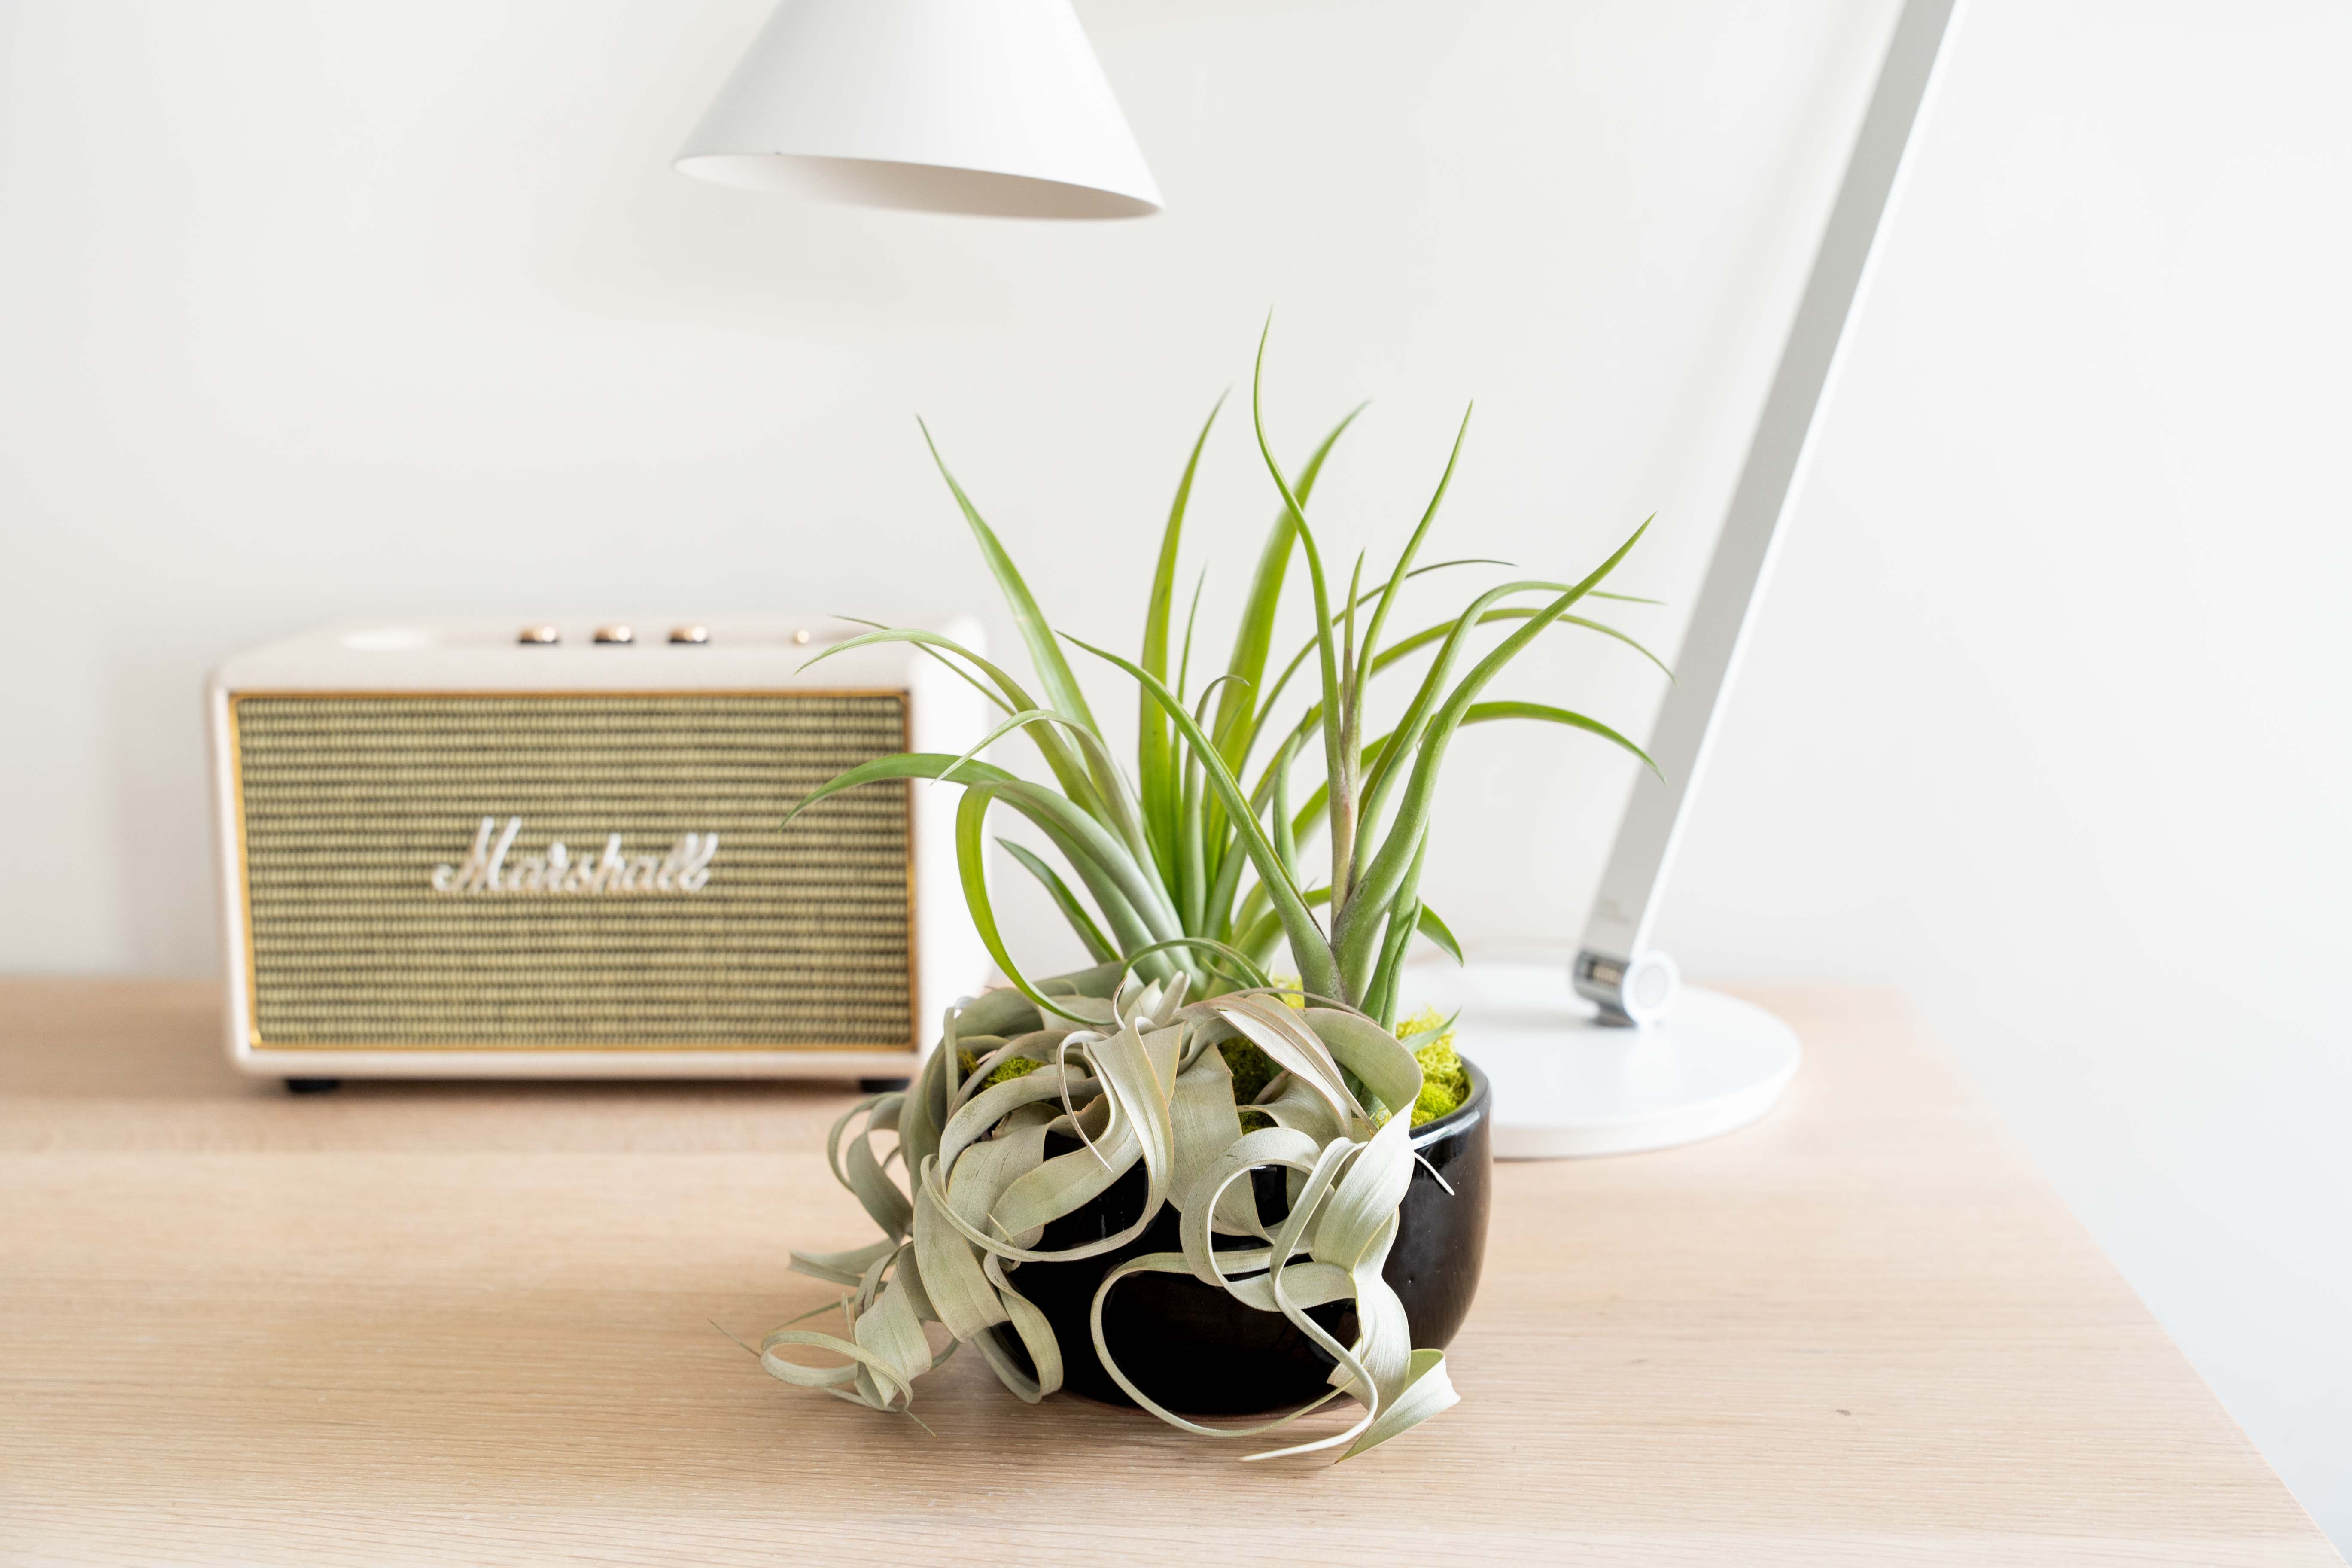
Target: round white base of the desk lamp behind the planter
[(1570, 1087)]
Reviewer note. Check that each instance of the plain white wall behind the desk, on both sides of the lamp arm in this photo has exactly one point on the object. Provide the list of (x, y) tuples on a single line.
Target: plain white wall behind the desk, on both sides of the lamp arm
[(382, 311)]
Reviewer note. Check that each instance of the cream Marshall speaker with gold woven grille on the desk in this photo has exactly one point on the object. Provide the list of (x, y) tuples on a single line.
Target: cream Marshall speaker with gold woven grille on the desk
[(457, 850)]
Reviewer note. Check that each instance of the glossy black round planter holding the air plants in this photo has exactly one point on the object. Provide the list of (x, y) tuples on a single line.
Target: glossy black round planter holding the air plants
[(1198, 1351)]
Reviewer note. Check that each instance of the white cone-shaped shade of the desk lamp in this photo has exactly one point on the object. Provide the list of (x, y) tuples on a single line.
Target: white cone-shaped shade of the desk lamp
[(987, 107)]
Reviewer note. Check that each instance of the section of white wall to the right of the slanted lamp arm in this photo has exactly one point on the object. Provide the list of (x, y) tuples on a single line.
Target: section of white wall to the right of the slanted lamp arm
[(2050, 716)]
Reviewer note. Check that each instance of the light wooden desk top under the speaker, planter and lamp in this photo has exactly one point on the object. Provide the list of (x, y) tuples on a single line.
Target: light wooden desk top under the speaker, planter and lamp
[(474, 1325)]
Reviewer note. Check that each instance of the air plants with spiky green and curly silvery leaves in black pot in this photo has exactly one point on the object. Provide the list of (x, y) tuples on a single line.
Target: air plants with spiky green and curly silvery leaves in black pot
[(1196, 878)]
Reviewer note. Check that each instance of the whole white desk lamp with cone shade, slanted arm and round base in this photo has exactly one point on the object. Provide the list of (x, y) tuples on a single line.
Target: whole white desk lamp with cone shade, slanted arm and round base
[(1001, 109)]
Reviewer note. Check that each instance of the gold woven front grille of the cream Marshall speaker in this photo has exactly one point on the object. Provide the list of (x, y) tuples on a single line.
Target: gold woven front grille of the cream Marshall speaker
[(801, 939)]
